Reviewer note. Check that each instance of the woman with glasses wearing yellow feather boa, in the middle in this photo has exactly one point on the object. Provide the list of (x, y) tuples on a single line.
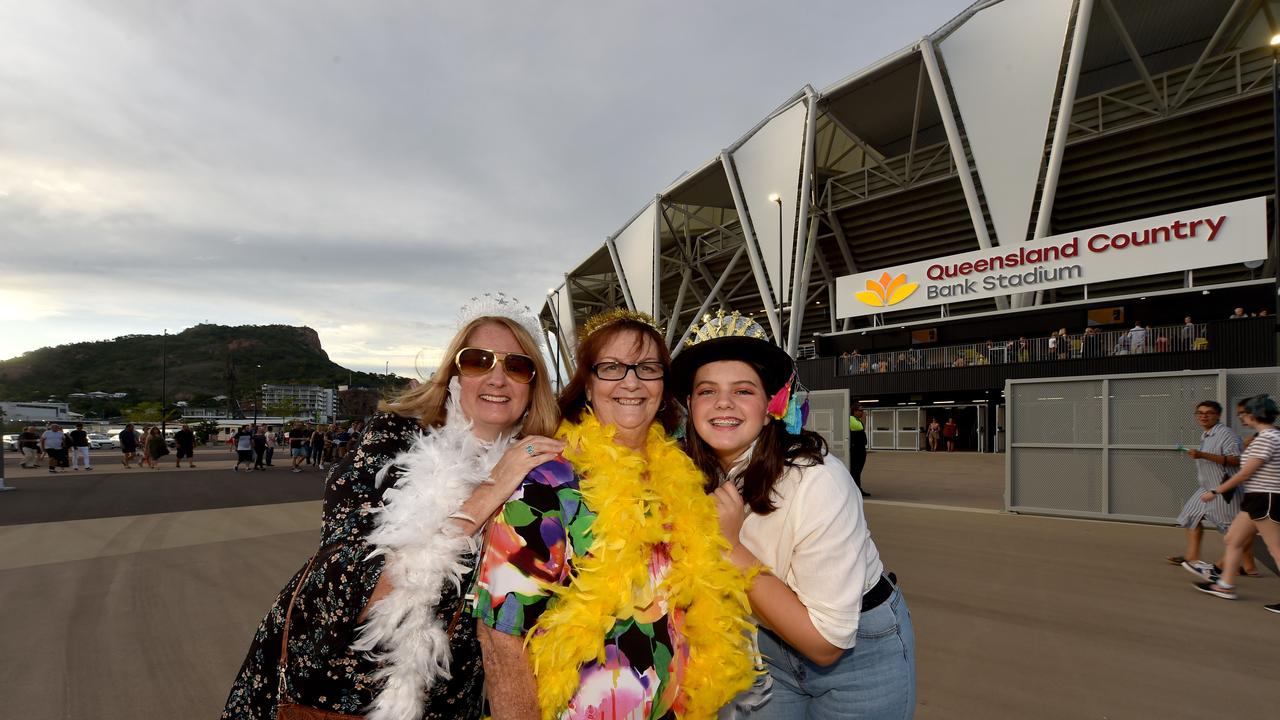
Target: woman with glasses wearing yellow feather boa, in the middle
[(605, 576)]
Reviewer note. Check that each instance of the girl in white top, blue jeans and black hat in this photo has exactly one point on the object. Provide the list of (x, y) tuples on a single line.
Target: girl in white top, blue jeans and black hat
[(835, 631)]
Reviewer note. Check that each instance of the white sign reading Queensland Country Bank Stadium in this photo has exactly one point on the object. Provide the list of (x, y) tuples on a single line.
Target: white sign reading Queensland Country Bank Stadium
[(1205, 238)]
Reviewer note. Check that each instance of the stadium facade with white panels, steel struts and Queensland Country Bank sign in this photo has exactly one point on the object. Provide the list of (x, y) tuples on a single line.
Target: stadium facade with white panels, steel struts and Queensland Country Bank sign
[(1005, 199)]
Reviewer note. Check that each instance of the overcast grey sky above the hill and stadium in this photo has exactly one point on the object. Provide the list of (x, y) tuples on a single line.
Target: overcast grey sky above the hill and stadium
[(367, 167)]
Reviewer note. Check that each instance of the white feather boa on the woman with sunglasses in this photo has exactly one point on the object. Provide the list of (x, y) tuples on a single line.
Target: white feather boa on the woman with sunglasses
[(423, 553)]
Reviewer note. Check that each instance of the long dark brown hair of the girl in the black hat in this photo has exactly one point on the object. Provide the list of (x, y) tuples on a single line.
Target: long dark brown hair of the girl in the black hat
[(775, 452)]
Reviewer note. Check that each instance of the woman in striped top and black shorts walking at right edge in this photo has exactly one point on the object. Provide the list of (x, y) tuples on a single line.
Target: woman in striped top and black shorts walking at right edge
[(1259, 480)]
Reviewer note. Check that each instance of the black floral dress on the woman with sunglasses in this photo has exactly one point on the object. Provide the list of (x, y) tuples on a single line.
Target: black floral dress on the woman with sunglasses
[(323, 671)]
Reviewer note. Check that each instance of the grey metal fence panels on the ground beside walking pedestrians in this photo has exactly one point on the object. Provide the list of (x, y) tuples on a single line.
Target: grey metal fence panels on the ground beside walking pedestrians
[(1109, 446)]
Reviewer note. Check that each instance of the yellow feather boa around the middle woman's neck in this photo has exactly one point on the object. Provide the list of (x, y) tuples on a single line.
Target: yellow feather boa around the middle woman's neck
[(642, 500)]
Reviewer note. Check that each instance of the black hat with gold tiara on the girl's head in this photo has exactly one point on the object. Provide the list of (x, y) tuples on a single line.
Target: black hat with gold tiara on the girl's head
[(732, 338)]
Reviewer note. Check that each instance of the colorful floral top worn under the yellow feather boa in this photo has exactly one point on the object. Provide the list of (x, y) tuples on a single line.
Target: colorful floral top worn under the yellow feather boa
[(532, 548)]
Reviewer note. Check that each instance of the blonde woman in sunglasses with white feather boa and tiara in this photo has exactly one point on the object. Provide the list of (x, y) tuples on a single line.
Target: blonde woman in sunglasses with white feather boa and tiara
[(374, 626)]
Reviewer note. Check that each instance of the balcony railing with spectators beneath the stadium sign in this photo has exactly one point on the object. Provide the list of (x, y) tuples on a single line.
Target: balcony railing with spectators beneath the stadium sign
[(1060, 347)]
